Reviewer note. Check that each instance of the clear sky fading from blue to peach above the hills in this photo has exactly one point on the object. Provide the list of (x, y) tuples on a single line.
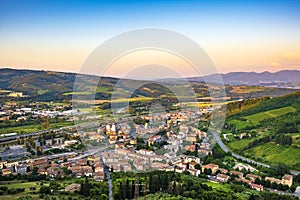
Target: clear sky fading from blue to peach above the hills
[(237, 35)]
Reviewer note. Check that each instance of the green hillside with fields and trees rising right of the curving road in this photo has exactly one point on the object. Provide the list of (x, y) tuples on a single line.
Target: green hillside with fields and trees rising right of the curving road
[(266, 129)]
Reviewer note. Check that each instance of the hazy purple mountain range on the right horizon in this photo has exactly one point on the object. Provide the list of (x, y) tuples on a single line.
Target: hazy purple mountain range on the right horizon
[(283, 79)]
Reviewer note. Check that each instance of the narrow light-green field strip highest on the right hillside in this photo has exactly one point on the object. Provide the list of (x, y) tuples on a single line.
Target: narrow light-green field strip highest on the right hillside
[(269, 114)]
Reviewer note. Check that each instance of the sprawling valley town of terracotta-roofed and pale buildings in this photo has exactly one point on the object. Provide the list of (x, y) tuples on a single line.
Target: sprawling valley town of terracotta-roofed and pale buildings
[(148, 143)]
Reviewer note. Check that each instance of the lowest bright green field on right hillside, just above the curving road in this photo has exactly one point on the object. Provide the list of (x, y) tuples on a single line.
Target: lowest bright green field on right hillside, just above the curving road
[(274, 153)]
